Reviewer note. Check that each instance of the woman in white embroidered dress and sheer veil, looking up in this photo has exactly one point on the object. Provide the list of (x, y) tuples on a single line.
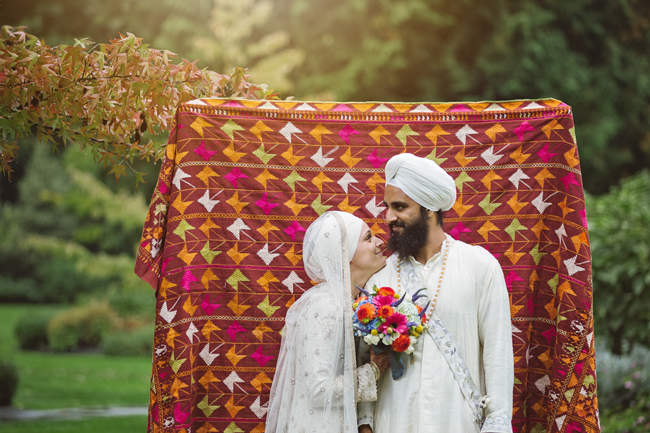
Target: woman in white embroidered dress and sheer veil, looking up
[(317, 381)]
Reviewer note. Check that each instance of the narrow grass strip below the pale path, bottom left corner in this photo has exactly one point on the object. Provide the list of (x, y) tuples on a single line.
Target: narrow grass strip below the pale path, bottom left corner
[(95, 425)]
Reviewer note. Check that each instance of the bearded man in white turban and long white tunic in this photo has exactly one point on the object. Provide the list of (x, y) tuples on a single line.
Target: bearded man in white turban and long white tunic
[(460, 377)]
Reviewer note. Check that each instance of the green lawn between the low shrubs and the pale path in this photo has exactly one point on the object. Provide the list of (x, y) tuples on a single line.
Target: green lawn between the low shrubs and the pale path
[(51, 381)]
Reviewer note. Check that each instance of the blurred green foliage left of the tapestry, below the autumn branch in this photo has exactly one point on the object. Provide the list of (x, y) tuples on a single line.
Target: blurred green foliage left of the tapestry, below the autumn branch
[(67, 234)]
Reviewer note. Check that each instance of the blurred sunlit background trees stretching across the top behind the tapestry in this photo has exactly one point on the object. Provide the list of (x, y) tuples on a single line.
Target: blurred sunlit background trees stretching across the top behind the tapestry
[(591, 54)]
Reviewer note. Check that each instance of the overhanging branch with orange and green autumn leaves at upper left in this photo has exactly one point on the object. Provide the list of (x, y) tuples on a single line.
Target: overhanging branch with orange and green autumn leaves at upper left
[(115, 100)]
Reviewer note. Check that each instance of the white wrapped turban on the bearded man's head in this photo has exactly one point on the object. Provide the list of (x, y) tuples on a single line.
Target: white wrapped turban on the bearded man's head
[(424, 181)]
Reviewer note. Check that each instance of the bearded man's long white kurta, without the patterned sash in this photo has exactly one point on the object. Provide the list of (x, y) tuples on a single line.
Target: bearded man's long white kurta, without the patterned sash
[(473, 304)]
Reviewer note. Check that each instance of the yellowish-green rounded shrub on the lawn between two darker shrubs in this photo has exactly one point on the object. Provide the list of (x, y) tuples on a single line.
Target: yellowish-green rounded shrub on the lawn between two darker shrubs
[(80, 327)]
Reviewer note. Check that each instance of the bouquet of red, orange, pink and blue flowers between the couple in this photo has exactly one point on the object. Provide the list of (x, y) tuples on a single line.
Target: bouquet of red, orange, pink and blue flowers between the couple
[(387, 321)]
